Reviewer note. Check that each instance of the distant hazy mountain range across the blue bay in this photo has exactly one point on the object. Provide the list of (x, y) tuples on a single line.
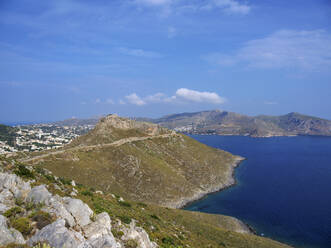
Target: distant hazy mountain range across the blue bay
[(229, 123)]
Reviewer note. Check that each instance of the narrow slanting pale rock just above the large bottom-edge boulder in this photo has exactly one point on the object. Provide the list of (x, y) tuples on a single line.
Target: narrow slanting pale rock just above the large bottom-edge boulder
[(55, 206)]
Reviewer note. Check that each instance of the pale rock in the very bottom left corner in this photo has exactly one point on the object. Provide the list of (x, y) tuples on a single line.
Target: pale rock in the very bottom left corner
[(9, 236)]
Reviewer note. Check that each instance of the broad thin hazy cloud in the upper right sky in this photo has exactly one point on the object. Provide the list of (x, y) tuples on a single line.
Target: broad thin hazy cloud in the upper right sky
[(283, 49)]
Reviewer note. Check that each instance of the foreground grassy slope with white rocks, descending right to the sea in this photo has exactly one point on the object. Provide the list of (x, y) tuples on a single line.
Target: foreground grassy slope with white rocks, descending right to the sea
[(39, 209)]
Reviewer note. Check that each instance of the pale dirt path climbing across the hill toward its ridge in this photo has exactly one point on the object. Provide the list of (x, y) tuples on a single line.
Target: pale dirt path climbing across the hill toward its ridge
[(115, 144)]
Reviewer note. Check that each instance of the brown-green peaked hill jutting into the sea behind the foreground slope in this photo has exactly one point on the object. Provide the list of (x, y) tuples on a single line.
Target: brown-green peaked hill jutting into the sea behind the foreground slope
[(142, 162)]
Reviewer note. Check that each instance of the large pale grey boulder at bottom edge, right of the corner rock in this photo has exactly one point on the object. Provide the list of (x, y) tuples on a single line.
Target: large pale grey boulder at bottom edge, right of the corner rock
[(58, 236)]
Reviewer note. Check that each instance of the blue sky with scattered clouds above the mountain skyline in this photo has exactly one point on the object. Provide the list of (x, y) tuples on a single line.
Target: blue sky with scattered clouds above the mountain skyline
[(148, 58)]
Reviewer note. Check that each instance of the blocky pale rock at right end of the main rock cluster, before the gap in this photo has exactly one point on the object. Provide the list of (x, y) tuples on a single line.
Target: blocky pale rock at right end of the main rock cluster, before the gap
[(99, 228)]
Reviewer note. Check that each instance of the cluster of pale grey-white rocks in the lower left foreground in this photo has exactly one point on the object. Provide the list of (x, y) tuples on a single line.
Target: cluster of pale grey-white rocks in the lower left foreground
[(73, 227)]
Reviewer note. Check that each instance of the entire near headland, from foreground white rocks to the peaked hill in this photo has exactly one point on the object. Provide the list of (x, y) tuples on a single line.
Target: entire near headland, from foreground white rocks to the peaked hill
[(123, 170)]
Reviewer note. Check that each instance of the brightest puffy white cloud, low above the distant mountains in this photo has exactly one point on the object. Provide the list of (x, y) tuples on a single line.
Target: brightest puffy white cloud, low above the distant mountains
[(199, 96)]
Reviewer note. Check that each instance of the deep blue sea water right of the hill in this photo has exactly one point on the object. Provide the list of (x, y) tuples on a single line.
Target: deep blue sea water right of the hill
[(283, 190)]
